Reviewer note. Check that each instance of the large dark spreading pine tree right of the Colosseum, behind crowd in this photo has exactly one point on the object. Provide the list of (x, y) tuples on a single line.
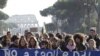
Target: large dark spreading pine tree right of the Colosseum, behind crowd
[(74, 11)]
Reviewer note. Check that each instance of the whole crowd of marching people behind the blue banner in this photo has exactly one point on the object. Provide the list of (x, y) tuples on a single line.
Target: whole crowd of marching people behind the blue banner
[(58, 41)]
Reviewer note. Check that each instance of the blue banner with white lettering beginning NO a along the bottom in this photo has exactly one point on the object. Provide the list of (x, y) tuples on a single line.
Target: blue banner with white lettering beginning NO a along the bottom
[(43, 52)]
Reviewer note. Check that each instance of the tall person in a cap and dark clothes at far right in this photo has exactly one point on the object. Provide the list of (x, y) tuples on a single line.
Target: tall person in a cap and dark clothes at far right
[(93, 35)]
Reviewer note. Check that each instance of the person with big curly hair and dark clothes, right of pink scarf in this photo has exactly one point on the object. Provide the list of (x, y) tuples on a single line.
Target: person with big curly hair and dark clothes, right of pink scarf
[(79, 39)]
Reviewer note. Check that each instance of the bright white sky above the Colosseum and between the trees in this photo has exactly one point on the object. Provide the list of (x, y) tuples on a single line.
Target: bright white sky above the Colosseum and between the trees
[(21, 7)]
